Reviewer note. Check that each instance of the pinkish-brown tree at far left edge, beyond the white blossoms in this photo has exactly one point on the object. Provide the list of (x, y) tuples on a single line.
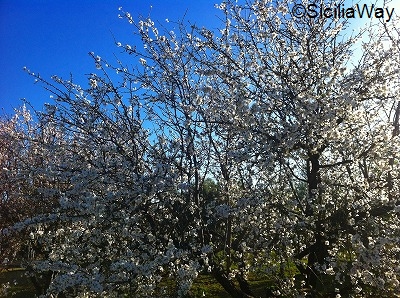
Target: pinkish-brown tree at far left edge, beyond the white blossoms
[(25, 193)]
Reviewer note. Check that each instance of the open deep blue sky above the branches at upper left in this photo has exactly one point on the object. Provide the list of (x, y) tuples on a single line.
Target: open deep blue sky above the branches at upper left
[(55, 37)]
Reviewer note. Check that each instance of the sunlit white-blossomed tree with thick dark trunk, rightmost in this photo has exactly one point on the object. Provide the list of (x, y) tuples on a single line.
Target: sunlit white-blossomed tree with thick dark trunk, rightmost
[(313, 120)]
